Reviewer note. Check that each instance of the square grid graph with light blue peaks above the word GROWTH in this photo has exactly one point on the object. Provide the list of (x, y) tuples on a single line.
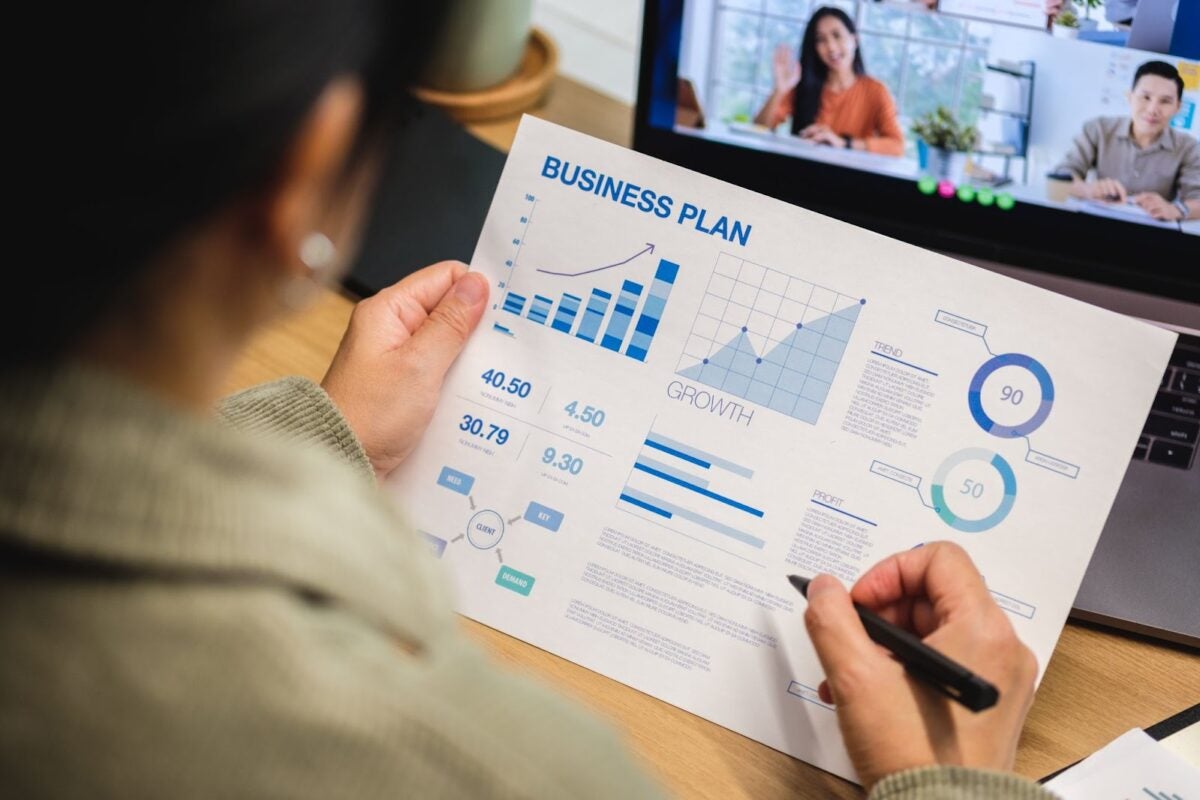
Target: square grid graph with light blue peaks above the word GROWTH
[(769, 338)]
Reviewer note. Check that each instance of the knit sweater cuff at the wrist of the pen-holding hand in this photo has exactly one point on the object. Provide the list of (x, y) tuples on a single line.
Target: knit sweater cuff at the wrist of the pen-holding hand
[(957, 784)]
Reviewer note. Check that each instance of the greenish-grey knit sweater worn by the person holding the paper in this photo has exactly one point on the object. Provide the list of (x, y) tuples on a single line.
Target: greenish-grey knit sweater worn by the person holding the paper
[(196, 609)]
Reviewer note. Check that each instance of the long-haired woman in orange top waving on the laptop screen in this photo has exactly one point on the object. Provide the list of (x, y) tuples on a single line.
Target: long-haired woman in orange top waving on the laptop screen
[(829, 95)]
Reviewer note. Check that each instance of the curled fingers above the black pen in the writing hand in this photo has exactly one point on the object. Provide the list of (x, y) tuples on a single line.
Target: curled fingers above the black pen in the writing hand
[(941, 573)]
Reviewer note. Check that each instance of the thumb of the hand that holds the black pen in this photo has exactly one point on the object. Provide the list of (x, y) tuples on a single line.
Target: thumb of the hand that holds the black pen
[(838, 635)]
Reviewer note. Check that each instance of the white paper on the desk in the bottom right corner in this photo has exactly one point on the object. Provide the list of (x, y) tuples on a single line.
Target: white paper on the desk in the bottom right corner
[(1133, 767)]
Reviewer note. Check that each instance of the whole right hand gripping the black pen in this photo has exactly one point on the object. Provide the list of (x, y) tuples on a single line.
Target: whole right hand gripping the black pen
[(892, 721)]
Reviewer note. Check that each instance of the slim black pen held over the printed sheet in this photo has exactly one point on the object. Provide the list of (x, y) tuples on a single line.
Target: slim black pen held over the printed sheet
[(922, 661)]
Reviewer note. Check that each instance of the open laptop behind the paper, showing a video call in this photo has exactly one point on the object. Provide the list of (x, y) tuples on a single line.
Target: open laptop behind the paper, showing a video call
[(1145, 574)]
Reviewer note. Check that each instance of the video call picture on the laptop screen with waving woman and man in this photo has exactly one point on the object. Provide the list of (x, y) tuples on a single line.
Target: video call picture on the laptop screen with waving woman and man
[(994, 95)]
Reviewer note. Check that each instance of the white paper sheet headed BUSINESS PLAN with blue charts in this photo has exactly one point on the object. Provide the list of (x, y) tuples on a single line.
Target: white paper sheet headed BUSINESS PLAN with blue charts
[(683, 392)]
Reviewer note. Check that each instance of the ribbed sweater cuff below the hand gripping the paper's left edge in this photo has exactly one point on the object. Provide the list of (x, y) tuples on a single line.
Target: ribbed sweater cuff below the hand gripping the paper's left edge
[(301, 411)]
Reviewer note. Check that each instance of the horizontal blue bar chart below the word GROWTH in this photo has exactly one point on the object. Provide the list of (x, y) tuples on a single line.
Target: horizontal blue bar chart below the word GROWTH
[(694, 492)]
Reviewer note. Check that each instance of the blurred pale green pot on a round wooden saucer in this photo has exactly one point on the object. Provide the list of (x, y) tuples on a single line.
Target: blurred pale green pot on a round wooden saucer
[(489, 63)]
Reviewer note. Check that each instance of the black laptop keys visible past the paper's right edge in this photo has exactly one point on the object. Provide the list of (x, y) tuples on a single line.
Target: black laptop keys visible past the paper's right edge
[(1174, 424)]
